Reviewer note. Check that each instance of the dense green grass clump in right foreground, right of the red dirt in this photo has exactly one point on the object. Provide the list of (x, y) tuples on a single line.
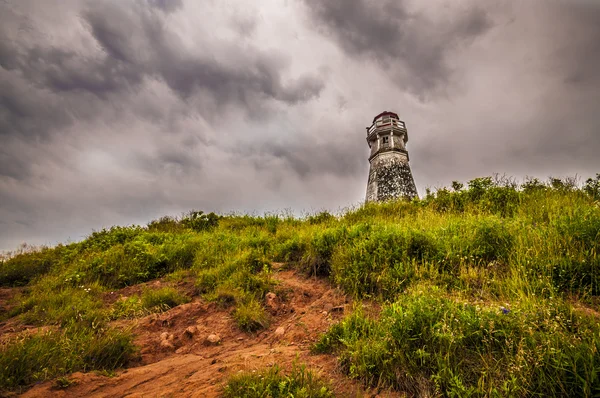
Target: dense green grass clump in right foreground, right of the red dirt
[(426, 343)]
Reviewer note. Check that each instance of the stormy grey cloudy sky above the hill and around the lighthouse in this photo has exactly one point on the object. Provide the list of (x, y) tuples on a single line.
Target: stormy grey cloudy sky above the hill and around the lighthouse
[(119, 112)]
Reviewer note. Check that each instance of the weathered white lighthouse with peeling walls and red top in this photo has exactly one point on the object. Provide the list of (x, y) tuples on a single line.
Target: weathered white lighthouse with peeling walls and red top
[(389, 175)]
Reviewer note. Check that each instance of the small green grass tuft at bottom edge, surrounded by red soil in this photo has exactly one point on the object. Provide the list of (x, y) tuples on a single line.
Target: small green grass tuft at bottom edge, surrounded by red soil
[(273, 383)]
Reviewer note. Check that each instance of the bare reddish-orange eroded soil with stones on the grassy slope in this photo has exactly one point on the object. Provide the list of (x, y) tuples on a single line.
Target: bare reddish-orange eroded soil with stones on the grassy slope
[(187, 366)]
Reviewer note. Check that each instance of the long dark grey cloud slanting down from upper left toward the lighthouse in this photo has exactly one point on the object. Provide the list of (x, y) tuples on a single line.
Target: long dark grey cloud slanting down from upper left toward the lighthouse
[(148, 47)]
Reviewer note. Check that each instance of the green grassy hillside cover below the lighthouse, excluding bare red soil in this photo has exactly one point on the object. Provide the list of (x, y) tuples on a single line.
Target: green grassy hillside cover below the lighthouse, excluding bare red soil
[(488, 290)]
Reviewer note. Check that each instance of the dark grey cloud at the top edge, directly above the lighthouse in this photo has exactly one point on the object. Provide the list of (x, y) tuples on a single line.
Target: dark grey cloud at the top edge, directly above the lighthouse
[(411, 46)]
